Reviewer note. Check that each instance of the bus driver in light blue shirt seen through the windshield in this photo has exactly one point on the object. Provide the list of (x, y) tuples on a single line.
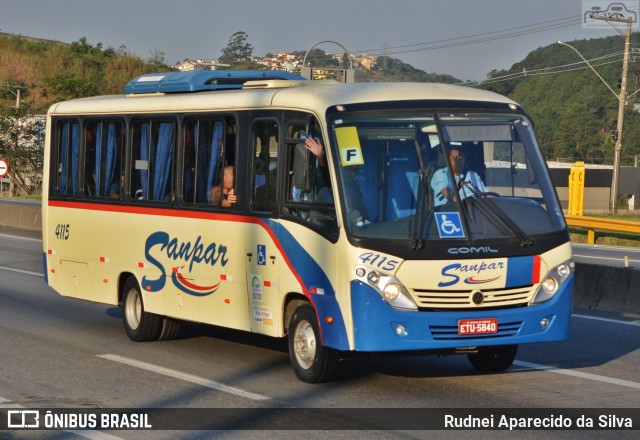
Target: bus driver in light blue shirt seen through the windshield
[(441, 183)]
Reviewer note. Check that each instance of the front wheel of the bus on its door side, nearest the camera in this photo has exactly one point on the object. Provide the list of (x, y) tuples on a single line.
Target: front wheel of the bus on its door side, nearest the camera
[(311, 362)]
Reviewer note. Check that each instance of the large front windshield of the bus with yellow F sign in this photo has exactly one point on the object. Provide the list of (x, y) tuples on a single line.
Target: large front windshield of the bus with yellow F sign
[(443, 176)]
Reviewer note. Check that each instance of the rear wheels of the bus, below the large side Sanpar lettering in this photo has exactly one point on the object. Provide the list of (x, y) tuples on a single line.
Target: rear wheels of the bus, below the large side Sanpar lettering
[(140, 325)]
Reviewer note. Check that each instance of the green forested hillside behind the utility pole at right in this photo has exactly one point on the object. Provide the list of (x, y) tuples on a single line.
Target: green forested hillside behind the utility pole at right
[(574, 111)]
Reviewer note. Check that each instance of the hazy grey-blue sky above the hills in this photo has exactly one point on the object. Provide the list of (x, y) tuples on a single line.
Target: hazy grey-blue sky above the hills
[(463, 38)]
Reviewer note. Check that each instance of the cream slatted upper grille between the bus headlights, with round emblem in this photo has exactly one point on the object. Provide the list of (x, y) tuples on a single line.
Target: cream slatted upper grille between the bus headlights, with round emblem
[(464, 299)]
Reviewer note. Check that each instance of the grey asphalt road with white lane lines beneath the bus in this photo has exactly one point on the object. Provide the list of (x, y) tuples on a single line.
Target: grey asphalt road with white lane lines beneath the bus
[(57, 353)]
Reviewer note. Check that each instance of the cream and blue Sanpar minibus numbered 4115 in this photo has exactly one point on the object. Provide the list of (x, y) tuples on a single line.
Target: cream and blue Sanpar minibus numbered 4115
[(320, 212)]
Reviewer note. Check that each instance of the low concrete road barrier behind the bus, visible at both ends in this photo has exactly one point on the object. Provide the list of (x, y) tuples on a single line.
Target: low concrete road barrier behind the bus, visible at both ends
[(596, 287)]
